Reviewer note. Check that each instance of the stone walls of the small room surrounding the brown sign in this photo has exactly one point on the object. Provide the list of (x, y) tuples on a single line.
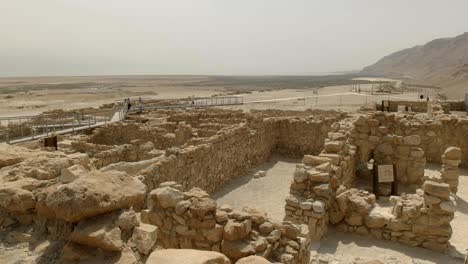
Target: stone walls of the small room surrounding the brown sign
[(323, 193)]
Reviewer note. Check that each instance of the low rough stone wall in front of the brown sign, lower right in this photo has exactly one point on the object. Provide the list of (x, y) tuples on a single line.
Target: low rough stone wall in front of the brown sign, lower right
[(420, 219)]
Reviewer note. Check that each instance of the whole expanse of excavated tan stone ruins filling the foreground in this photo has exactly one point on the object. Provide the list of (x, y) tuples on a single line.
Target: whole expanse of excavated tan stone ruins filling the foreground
[(134, 192)]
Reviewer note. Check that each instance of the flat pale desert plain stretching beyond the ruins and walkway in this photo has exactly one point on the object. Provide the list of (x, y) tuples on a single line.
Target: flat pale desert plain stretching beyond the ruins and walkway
[(29, 96)]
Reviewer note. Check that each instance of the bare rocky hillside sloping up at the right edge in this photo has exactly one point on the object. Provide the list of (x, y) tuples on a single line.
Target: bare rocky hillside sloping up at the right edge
[(442, 62)]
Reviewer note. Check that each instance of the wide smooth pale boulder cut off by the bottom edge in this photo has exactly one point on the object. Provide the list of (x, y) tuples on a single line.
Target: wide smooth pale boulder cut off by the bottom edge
[(186, 256)]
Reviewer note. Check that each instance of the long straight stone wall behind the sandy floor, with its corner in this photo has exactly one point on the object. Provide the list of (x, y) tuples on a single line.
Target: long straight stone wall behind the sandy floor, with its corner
[(209, 163)]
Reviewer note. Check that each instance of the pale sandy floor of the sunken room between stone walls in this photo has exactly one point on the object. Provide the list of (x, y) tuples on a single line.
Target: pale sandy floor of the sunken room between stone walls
[(267, 193)]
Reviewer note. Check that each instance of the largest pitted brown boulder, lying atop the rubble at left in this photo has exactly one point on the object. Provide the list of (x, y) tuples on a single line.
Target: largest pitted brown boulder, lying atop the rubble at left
[(93, 194)]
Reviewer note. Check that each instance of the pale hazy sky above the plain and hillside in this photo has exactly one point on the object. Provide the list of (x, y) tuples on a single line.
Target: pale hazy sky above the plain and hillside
[(245, 37)]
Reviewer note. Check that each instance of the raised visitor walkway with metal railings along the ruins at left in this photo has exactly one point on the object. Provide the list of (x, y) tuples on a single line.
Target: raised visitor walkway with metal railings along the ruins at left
[(25, 128)]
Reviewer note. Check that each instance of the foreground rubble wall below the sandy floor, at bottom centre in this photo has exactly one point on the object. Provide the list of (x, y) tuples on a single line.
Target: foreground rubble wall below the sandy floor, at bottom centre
[(192, 220)]
